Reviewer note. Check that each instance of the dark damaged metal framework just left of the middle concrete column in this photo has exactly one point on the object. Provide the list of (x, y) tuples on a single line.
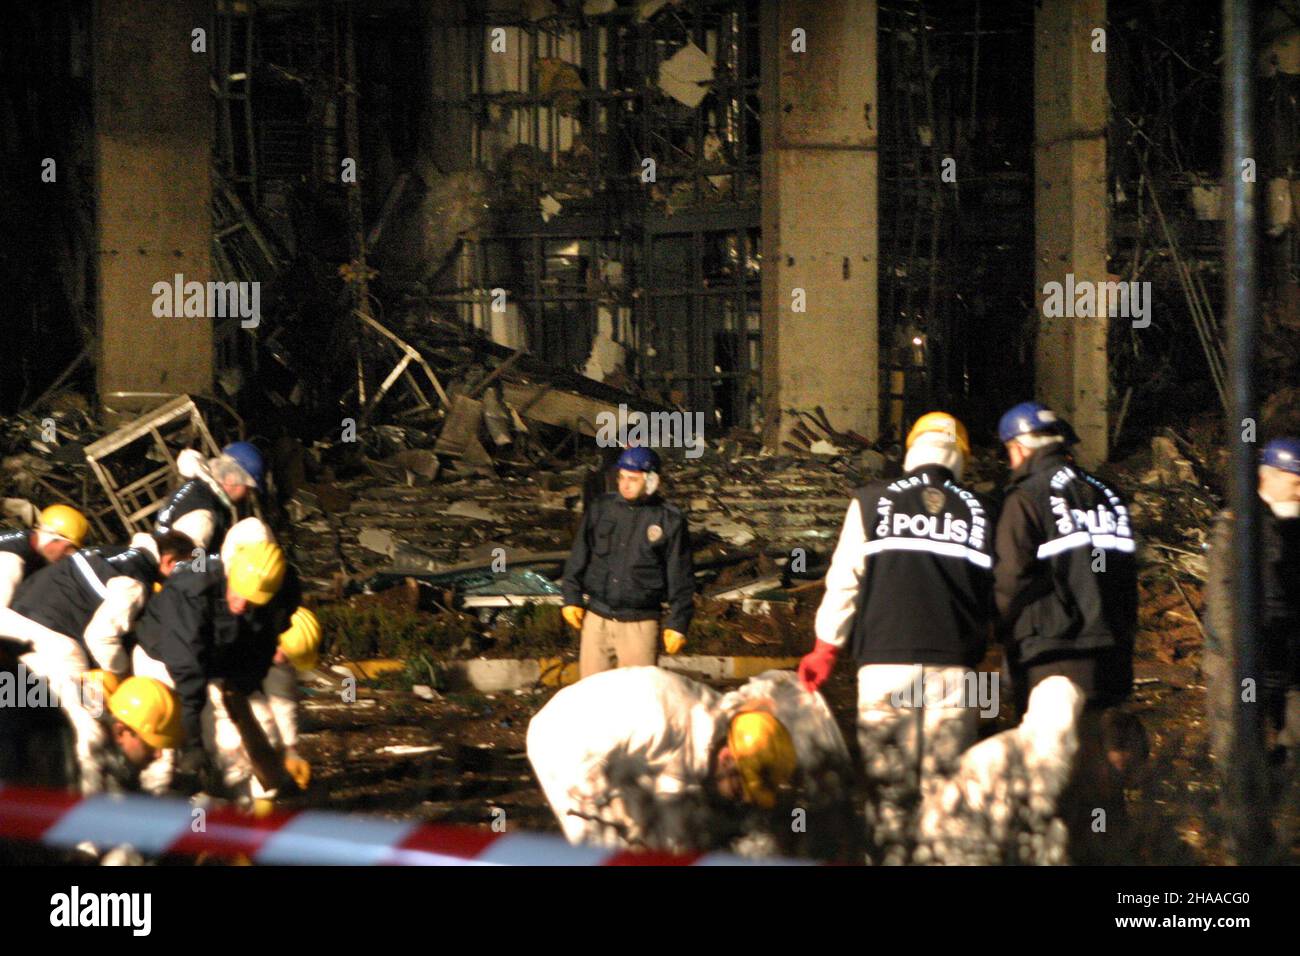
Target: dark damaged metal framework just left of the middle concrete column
[(695, 335)]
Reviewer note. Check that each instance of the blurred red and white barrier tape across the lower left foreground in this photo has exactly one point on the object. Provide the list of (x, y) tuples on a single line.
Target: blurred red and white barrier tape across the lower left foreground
[(155, 827)]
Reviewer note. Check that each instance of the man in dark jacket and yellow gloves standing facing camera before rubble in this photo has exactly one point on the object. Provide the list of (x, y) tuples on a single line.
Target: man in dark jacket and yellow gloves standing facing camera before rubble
[(631, 556)]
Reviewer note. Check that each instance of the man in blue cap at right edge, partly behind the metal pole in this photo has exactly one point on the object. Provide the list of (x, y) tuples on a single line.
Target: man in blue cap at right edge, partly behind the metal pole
[(1279, 655)]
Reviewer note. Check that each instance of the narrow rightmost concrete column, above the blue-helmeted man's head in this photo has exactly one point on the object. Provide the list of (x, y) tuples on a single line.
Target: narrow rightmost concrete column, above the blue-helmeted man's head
[(1071, 211)]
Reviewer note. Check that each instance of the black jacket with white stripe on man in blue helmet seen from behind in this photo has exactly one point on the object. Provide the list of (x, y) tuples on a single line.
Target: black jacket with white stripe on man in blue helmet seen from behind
[(1067, 578)]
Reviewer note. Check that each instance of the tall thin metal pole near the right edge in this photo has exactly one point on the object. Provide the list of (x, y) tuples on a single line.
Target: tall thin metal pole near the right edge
[(1247, 797)]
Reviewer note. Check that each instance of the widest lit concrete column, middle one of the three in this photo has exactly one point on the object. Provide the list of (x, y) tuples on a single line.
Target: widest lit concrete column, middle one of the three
[(820, 214)]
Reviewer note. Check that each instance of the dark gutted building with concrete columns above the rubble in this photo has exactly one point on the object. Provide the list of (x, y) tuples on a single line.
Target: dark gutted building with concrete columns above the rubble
[(536, 176)]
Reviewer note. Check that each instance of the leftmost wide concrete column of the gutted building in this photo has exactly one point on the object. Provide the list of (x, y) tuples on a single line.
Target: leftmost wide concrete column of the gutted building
[(153, 152)]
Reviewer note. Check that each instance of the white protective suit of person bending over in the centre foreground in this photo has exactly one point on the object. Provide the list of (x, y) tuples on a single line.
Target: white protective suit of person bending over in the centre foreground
[(625, 756)]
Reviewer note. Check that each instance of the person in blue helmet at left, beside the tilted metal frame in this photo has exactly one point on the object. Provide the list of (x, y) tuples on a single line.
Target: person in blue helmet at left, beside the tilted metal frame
[(206, 507)]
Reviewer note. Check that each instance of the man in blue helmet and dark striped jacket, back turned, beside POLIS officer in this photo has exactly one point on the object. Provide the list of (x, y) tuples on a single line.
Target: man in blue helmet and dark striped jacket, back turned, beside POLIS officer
[(1067, 590)]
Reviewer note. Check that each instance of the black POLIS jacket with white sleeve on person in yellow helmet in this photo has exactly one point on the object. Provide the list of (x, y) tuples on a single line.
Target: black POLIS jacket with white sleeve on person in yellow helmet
[(912, 583)]
